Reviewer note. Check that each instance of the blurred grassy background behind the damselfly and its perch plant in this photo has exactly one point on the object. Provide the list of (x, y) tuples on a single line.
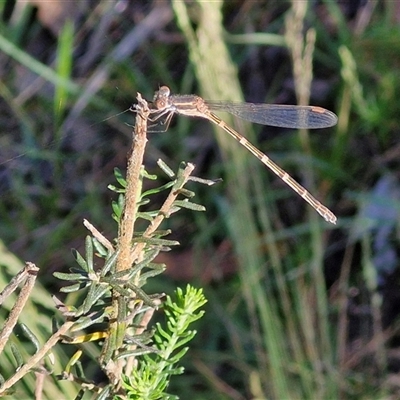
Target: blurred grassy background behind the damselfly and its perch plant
[(298, 308)]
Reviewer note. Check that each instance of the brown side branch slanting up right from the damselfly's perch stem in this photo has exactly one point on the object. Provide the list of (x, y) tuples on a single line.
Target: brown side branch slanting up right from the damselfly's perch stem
[(164, 211)]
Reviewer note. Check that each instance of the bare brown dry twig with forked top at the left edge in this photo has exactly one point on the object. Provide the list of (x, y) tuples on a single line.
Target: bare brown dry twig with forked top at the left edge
[(30, 272)]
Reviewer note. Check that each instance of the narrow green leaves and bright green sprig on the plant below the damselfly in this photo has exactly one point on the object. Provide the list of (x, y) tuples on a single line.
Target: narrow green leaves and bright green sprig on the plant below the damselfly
[(152, 376)]
